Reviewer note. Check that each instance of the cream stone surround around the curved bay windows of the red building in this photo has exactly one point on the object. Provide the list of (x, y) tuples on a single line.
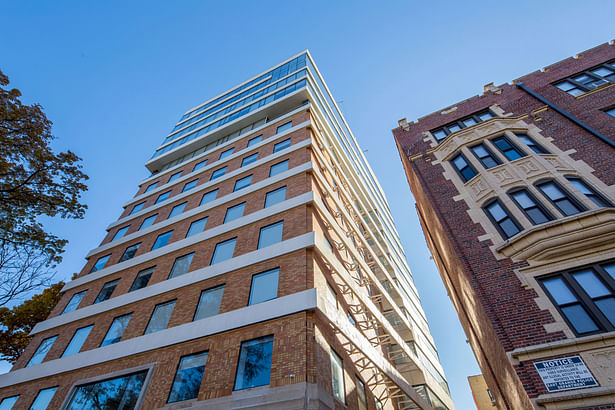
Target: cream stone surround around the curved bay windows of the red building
[(503, 179)]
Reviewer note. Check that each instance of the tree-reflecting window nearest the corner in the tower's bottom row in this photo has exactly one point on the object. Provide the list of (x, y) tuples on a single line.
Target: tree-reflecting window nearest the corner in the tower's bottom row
[(254, 367)]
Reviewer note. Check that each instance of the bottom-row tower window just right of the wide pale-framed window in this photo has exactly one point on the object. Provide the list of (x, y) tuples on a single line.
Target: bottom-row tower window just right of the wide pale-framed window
[(188, 377)]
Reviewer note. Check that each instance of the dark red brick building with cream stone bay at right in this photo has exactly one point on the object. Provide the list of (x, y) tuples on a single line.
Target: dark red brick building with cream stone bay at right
[(515, 191)]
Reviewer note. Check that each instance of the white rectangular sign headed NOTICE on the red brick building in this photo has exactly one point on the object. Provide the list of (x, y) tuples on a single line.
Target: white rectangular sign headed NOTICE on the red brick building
[(565, 374)]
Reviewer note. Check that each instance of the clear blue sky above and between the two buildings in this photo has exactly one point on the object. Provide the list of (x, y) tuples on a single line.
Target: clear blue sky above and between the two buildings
[(115, 76)]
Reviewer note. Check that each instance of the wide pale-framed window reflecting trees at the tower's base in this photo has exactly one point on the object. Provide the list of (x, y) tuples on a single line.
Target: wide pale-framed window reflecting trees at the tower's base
[(109, 394)]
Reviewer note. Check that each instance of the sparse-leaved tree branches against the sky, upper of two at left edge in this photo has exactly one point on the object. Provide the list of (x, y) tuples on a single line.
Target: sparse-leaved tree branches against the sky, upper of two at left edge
[(34, 182)]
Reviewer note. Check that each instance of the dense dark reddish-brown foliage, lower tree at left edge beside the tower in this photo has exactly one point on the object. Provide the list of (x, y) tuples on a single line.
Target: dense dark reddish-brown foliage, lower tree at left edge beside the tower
[(20, 320)]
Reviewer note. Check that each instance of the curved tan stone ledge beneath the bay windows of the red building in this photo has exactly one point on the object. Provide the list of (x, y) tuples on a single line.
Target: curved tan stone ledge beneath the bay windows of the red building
[(588, 232)]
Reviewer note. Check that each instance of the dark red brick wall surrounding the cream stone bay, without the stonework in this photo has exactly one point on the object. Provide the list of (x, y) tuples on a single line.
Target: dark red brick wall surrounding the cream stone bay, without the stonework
[(505, 309)]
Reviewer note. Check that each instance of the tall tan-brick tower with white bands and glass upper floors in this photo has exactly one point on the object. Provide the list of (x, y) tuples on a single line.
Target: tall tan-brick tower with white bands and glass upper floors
[(257, 267)]
